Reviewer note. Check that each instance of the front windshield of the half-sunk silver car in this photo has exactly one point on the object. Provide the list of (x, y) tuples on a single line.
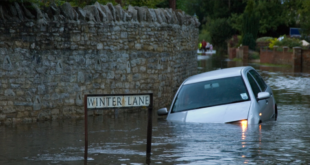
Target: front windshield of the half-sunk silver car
[(211, 93)]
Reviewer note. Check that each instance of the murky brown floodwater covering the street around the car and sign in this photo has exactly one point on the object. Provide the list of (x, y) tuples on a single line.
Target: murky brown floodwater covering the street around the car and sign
[(121, 138)]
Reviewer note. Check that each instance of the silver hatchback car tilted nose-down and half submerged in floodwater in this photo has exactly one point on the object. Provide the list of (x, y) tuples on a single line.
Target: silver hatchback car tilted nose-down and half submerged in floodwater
[(229, 95)]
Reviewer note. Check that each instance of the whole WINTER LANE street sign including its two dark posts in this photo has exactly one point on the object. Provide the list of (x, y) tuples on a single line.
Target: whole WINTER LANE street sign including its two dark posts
[(110, 101)]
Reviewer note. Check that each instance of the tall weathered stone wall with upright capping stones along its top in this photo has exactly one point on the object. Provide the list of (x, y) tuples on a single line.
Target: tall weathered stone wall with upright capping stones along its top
[(50, 58)]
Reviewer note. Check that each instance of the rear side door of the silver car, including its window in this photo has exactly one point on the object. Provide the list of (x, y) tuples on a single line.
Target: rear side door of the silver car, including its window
[(268, 111)]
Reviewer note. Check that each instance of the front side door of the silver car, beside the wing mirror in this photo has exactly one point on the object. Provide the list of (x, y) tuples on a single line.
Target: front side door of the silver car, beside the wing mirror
[(259, 105)]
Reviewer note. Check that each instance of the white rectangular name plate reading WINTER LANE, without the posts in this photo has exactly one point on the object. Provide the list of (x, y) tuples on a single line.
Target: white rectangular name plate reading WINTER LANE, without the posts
[(117, 101)]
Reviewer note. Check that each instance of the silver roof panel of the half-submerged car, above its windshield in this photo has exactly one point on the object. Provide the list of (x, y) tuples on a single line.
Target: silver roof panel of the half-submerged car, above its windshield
[(216, 74)]
